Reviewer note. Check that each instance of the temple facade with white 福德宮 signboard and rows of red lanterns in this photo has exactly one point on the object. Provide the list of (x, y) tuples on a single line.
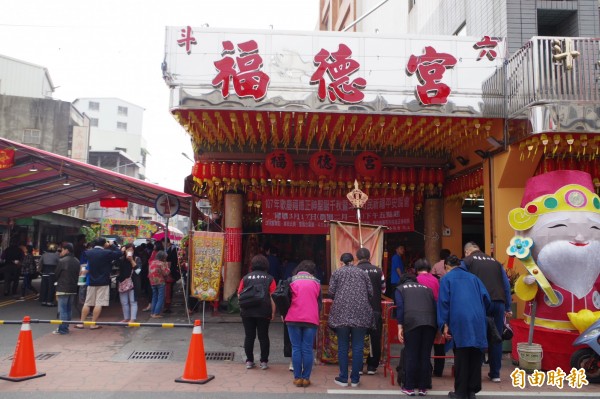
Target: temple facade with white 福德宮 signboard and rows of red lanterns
[(287, 121)]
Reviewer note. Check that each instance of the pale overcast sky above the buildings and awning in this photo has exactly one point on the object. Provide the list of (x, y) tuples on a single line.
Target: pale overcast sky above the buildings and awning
[(114, 48)]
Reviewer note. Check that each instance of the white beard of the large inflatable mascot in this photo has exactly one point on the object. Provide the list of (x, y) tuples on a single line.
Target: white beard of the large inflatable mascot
[(573, 268)]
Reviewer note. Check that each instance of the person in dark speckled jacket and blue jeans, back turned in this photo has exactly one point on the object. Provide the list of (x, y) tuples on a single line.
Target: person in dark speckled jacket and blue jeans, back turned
[(350, 317)]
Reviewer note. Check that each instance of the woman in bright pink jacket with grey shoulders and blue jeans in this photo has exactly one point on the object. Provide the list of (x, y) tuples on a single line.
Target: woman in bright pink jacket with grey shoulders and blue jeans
[(302, 320)]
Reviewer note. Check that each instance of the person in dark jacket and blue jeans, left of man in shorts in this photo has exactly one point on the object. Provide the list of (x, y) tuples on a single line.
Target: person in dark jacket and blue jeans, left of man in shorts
[(67, 274)]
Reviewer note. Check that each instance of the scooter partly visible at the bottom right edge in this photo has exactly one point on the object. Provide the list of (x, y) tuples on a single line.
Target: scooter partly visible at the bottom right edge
[(588, 358)]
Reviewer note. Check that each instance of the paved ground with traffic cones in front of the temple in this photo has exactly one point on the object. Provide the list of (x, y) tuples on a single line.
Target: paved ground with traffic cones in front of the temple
[(99, 361)]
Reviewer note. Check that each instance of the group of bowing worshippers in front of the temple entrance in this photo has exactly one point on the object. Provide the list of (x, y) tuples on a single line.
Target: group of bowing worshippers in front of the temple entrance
[(439, 308)]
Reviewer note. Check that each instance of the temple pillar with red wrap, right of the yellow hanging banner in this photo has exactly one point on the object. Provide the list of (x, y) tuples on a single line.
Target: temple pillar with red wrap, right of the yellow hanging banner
[(233, 248)]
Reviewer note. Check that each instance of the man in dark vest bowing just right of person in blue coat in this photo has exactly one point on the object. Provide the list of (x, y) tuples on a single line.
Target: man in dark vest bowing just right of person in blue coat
[(494, 278)]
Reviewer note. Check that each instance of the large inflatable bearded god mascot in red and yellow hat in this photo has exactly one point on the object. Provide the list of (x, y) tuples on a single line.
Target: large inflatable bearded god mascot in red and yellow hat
[(558, 241)]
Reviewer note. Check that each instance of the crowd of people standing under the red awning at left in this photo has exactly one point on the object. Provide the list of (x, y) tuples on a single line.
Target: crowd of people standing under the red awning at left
[(88, 270)]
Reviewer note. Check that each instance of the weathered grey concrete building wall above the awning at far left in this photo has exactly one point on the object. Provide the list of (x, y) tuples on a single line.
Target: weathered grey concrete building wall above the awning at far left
[(51, 117)]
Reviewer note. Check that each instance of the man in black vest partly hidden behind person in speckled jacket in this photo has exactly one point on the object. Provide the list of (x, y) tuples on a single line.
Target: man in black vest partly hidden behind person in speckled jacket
[(378, 282)]
